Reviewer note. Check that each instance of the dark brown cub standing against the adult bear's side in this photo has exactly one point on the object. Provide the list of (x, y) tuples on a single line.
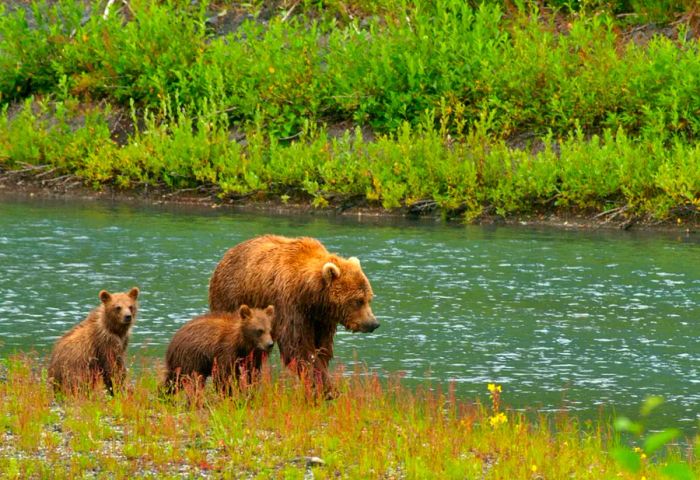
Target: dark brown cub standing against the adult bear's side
[(230, 347)]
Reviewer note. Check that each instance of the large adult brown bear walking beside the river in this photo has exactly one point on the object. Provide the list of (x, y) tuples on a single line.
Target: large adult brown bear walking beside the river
[(312, 291)]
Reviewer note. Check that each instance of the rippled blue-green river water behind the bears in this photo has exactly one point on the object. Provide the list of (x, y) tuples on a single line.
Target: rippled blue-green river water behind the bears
[(564, 320)]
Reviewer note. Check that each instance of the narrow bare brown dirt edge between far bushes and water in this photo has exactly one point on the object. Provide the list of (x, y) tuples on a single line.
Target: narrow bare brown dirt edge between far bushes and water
[(35, 183)]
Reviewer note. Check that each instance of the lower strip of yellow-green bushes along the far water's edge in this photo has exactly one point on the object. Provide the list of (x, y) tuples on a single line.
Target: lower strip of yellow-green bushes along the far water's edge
[(478, 174)]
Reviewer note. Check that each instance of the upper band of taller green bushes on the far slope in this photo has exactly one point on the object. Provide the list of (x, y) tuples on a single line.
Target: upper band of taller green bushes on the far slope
[(532, 70)]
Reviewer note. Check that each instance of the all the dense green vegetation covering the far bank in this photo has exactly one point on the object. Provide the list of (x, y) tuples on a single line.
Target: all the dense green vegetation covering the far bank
[(501, 107)]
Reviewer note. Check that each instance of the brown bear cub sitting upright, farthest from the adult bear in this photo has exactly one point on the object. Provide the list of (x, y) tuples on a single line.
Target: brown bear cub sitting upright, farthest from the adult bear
[(95, 349)]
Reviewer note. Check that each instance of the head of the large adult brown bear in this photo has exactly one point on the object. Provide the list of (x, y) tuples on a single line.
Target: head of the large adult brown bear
[(350, 294)]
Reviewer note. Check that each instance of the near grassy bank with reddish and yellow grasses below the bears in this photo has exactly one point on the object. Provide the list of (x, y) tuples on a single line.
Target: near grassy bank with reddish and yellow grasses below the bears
[(373, 430)]
